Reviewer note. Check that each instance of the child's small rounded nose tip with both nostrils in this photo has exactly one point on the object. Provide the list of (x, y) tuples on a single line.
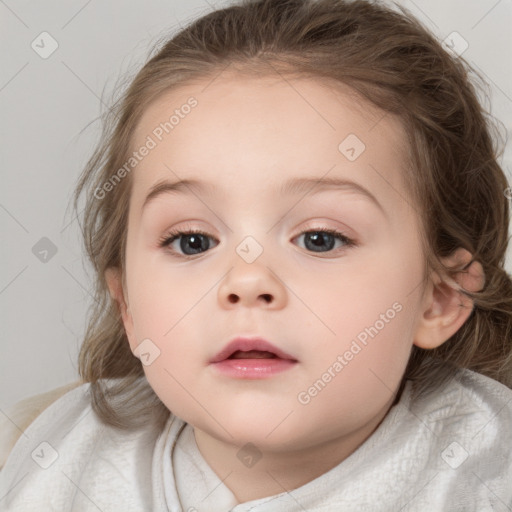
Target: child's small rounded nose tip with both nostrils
[(252, 284)]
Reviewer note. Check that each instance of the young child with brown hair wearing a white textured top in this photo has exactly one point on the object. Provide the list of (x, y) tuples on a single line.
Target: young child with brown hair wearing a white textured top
[(337, 335)]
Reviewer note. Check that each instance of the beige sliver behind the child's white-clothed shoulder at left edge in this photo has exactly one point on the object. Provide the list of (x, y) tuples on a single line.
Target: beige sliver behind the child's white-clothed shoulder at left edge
[(15, 420)]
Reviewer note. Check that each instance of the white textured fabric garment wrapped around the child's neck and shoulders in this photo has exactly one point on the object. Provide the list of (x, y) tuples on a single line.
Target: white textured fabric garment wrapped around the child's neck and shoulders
[(450, 450)]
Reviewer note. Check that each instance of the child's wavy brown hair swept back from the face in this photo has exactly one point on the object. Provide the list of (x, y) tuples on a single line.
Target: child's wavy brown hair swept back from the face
[(388, 58)]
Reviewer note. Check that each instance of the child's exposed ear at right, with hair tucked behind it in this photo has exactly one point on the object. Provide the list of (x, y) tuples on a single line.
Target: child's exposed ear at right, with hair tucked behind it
[(445, 307)]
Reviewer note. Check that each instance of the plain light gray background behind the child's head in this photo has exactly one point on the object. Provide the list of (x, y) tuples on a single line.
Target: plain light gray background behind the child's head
[(46, 104)]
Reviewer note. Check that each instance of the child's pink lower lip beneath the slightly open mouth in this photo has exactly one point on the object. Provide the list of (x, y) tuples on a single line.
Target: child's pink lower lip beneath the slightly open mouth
[(253, 368)]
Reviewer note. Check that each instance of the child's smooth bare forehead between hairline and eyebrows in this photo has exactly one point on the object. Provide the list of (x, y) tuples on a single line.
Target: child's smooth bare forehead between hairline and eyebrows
[(262, 131)]
